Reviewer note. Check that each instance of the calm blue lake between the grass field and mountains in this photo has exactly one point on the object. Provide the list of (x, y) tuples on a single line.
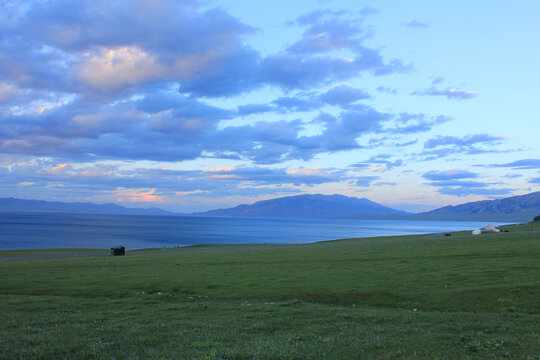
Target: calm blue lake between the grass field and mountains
[(44, 230)]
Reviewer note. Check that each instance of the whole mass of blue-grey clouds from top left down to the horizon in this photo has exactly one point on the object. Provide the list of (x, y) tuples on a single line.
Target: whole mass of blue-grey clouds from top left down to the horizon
[(89, 89)]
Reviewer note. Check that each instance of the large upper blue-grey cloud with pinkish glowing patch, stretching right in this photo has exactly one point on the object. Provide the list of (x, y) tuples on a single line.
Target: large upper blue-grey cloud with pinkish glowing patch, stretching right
[(108, 49)]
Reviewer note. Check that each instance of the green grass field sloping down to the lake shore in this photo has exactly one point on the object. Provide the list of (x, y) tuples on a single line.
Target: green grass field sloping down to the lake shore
[(407, 297)]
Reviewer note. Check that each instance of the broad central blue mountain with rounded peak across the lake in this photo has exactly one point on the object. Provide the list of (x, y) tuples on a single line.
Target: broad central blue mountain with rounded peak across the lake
[(310, 206)]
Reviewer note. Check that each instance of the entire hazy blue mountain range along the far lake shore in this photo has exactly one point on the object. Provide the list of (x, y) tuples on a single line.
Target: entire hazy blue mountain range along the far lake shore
[(516, 208)]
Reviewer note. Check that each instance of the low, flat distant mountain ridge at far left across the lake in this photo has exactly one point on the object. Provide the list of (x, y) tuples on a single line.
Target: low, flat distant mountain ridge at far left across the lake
[(12, 204)]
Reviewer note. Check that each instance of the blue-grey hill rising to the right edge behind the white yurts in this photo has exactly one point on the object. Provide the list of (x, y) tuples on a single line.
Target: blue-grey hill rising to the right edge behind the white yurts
[(521, 208)]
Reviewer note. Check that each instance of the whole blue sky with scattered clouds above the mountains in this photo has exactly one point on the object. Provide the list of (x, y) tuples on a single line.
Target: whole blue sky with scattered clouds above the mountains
[(197, 105)]
